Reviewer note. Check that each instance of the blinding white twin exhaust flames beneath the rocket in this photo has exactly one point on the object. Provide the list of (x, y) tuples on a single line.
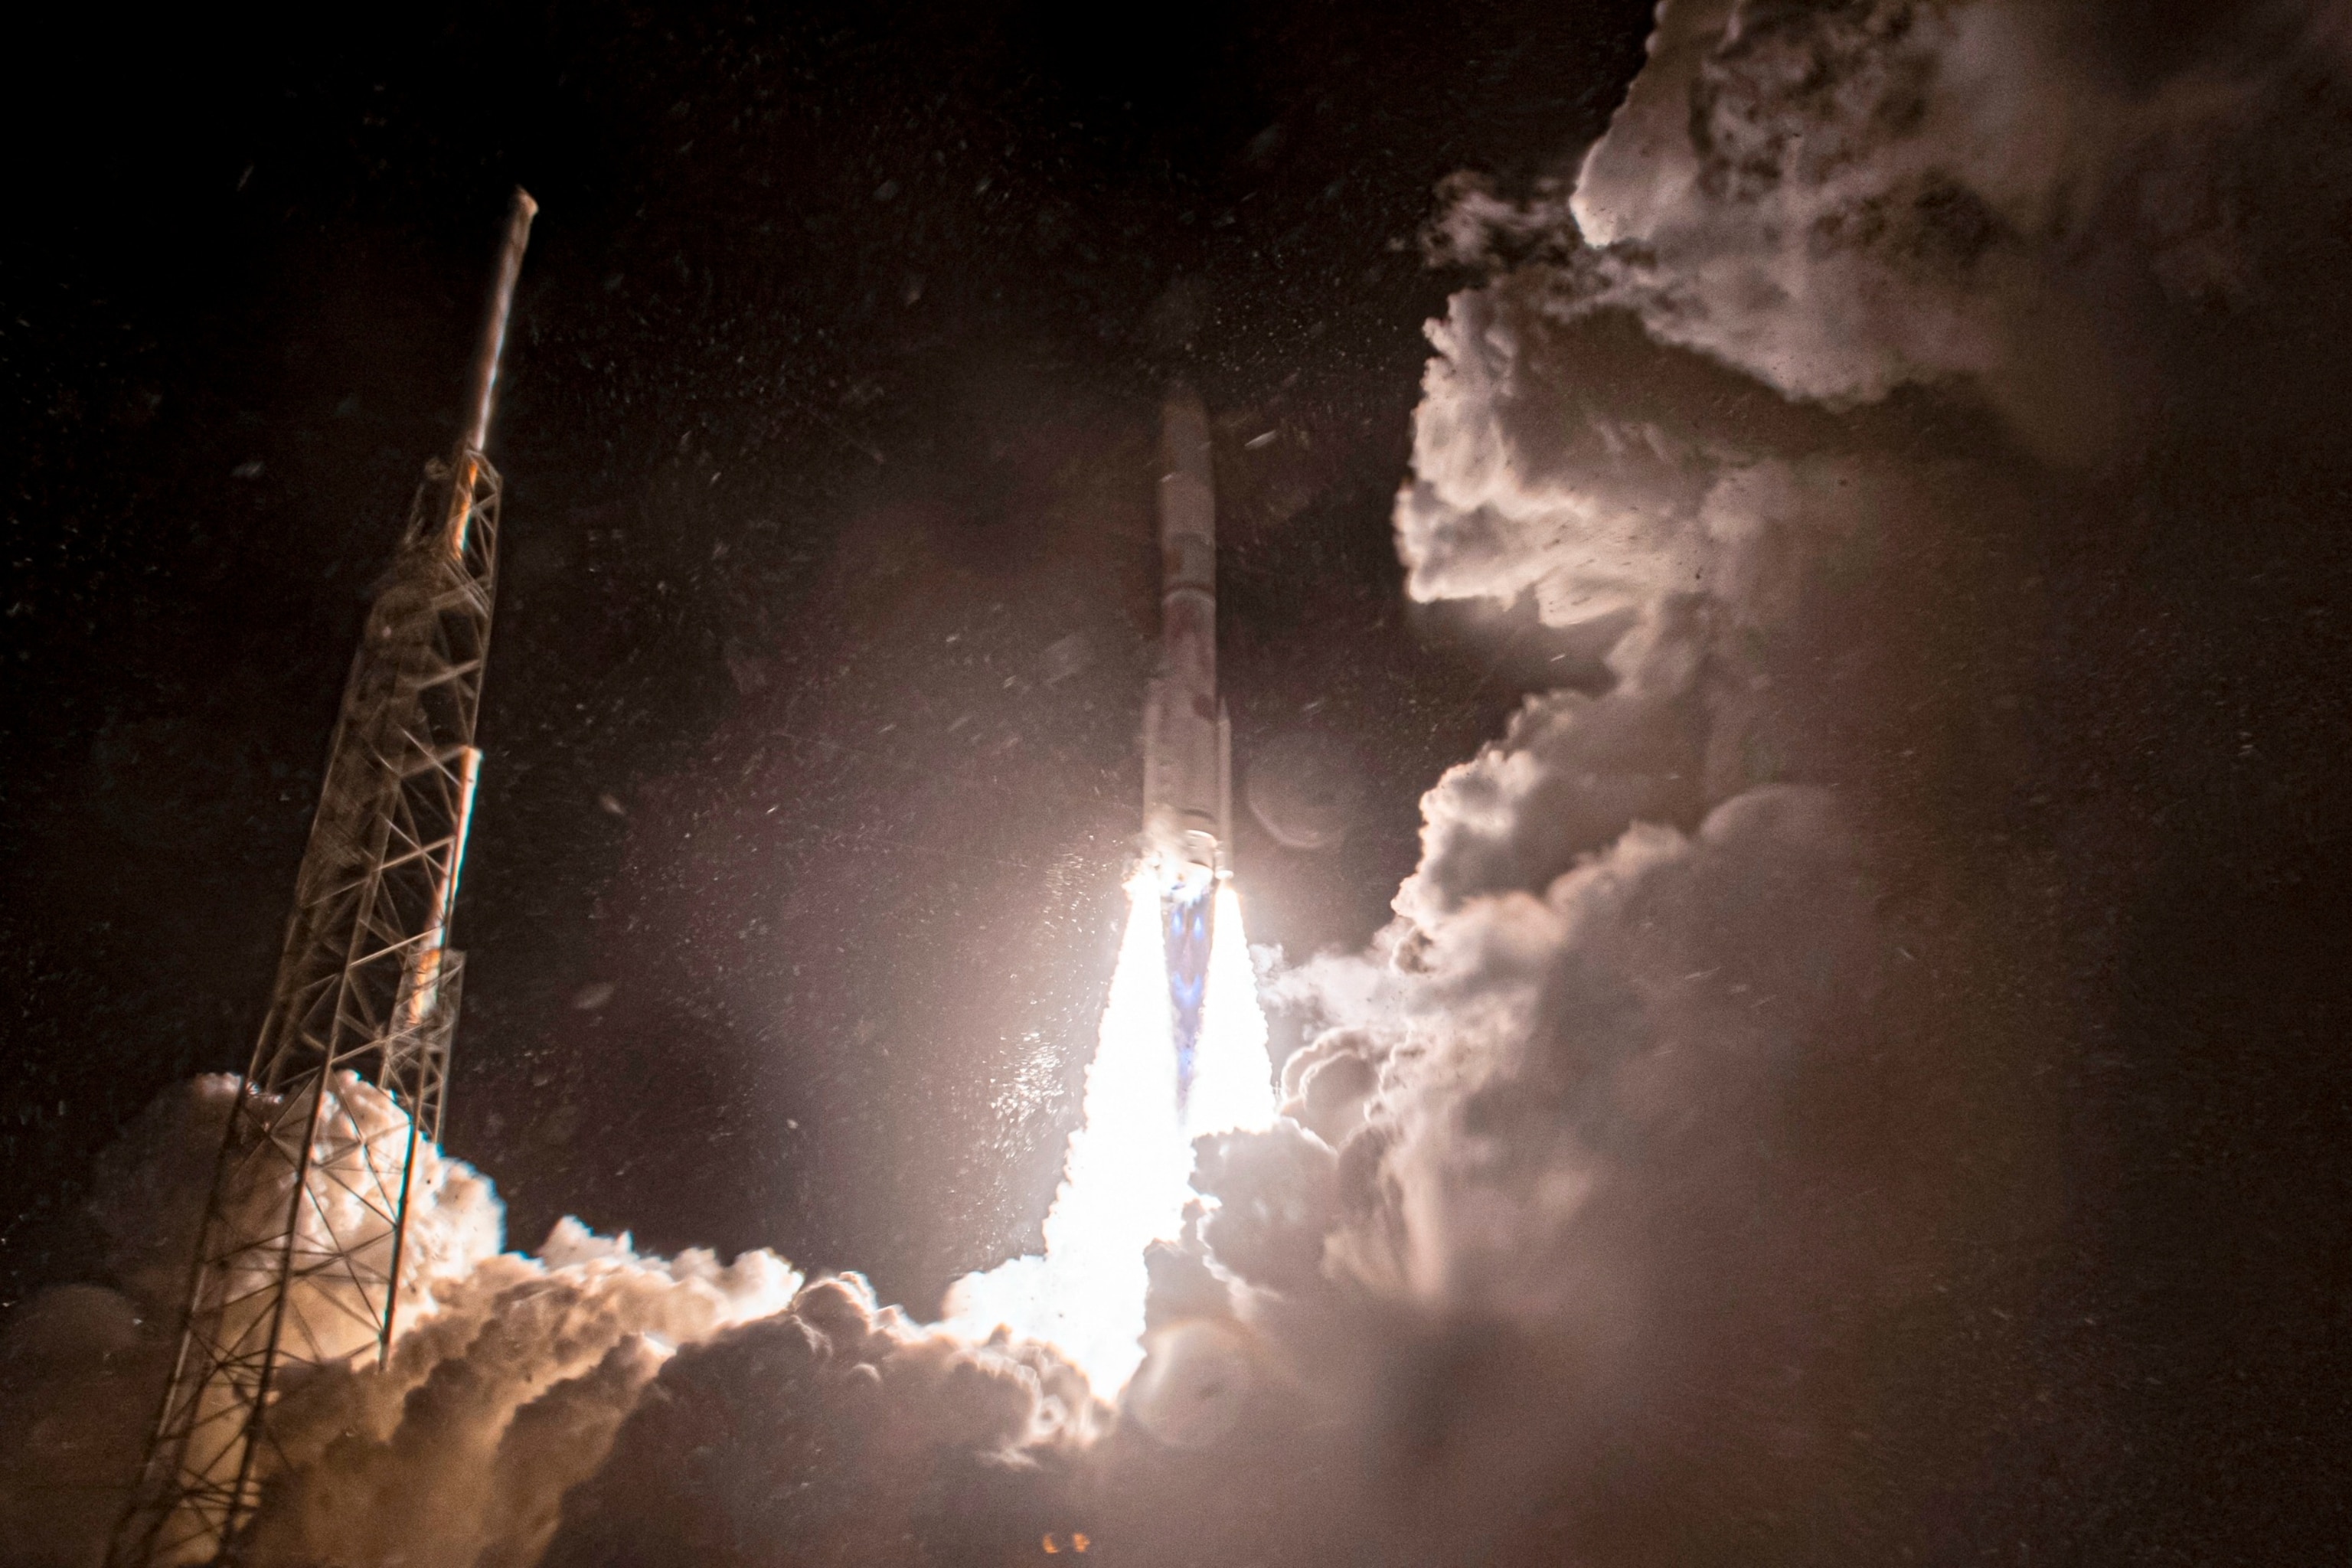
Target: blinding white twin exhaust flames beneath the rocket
[(1130, 1170)]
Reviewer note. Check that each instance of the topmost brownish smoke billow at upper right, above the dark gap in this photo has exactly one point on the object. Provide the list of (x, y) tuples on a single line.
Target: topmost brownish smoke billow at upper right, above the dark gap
[(1850, 199)]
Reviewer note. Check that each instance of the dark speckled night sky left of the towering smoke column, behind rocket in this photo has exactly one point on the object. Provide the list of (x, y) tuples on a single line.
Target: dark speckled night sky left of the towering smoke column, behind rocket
[(829, 410)]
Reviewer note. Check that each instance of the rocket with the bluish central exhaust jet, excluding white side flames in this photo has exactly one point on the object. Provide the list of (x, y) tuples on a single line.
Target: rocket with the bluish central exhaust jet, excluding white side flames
[(1187, 732)]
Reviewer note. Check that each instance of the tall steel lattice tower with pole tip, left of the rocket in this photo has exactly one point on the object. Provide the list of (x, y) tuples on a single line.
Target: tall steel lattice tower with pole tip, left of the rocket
[(300, 1252)]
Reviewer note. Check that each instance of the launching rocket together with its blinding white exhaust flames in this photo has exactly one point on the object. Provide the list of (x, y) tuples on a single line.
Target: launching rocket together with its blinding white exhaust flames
[(1182, 1050)]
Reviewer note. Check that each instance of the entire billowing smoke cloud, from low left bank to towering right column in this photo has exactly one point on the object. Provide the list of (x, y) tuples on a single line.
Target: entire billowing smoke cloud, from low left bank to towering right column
[(1673, 1179)]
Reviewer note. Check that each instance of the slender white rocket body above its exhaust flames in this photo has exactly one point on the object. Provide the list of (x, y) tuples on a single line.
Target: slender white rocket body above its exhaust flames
[(1187, 735)]
